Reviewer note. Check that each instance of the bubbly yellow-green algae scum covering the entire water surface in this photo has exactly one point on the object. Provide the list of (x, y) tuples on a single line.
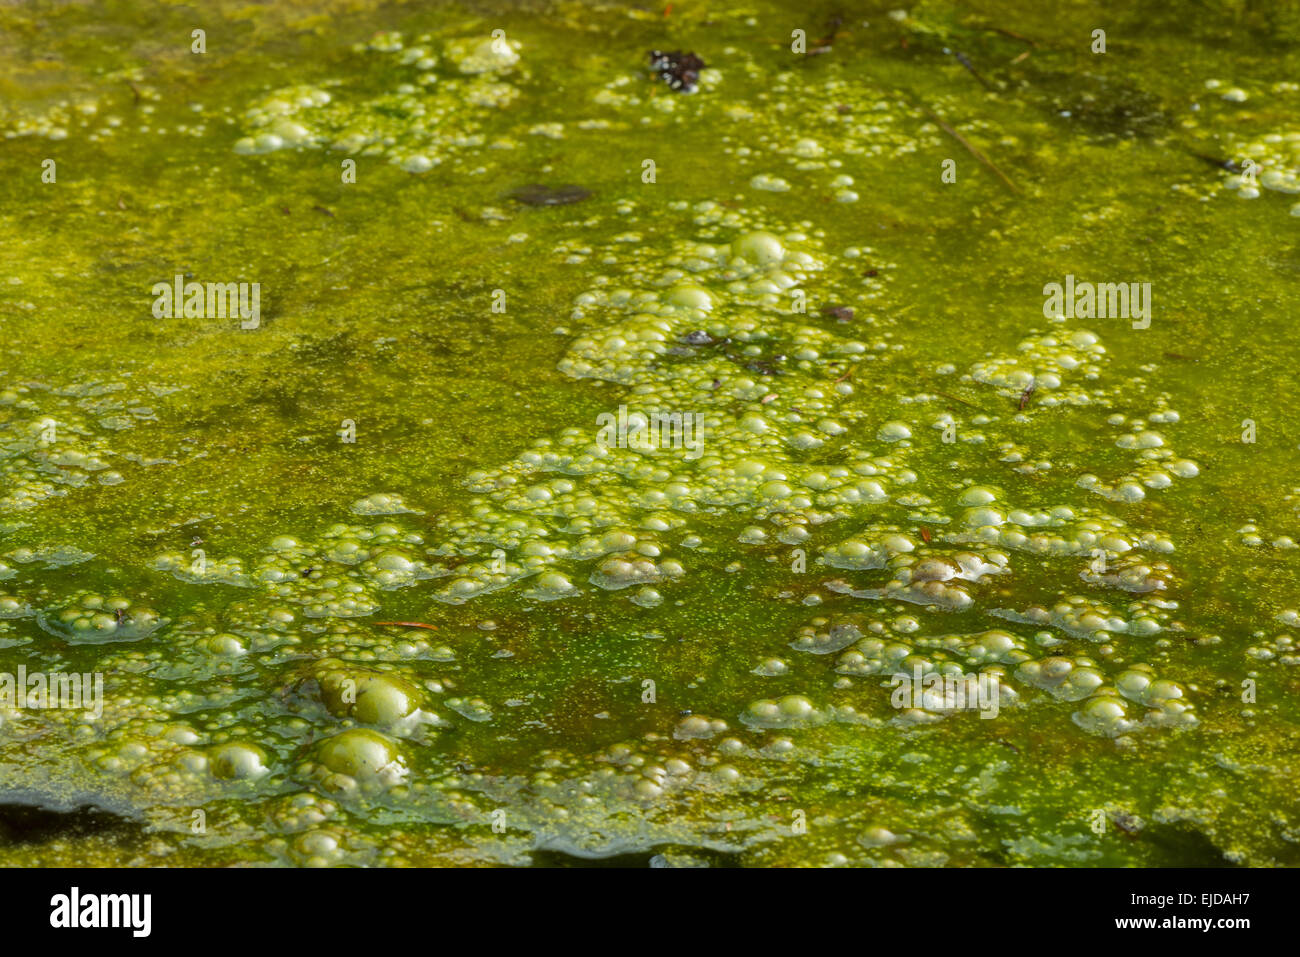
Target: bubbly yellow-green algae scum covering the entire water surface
[(179, 512)]
